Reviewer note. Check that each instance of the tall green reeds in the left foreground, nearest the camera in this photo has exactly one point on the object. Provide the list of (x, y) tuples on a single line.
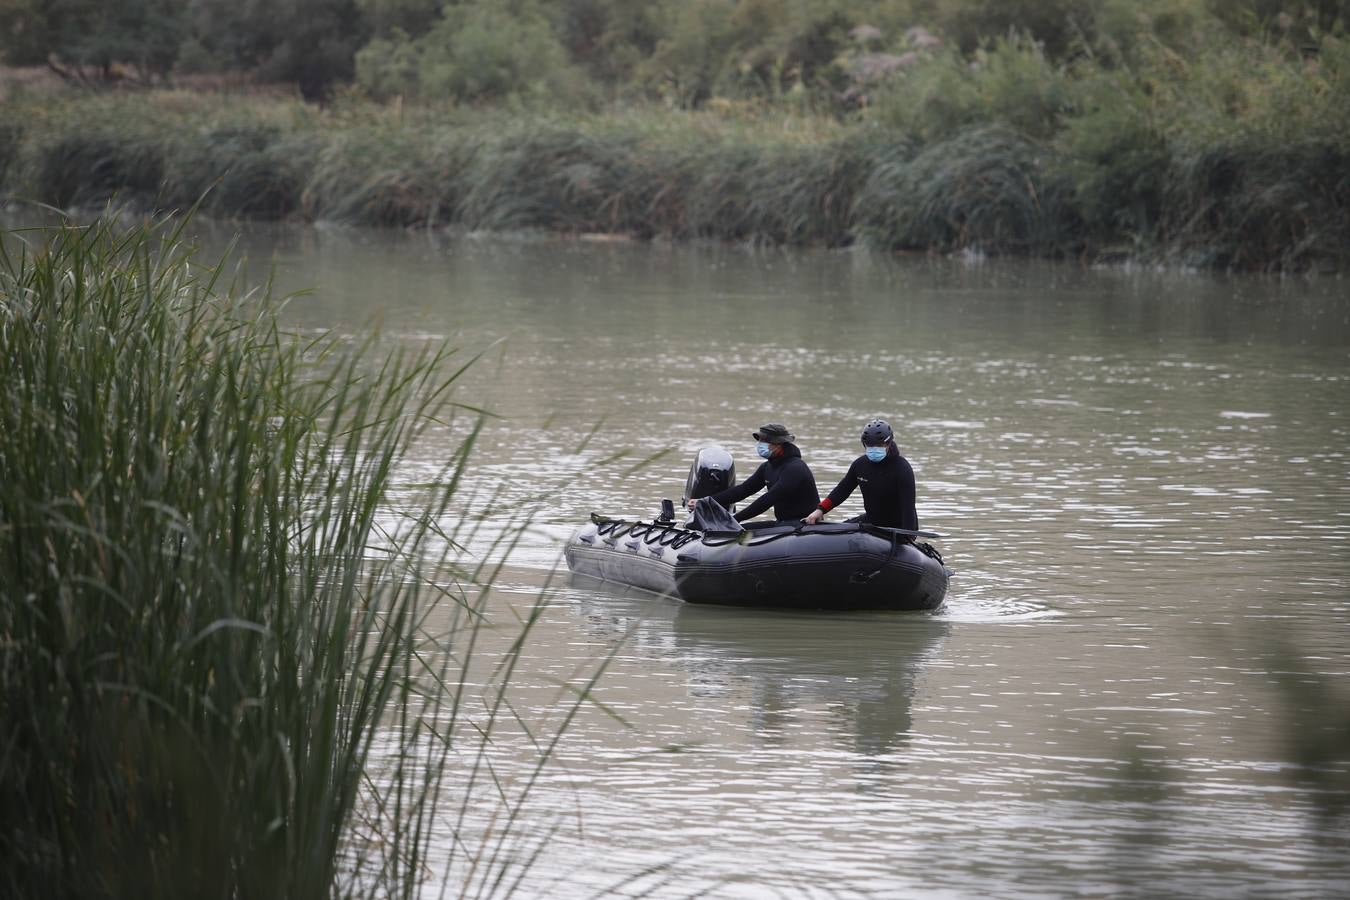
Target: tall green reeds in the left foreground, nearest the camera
[(214, 596)]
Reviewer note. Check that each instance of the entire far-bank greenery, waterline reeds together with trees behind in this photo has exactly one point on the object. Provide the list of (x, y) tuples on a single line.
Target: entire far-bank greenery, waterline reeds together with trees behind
[(1210, 134)]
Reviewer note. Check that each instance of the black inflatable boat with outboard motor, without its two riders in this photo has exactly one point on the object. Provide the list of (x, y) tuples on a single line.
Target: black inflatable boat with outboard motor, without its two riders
[(796, 566)]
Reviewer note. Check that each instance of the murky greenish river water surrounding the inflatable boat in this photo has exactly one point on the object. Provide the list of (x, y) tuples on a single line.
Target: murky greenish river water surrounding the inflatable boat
[(1143, 481)]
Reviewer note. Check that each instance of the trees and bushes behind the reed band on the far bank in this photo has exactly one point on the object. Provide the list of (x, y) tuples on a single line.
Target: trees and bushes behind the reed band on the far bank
[(685, 52)]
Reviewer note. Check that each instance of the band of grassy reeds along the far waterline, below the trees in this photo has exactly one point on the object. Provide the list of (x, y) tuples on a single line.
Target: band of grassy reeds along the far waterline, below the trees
[(1233, 157)]
